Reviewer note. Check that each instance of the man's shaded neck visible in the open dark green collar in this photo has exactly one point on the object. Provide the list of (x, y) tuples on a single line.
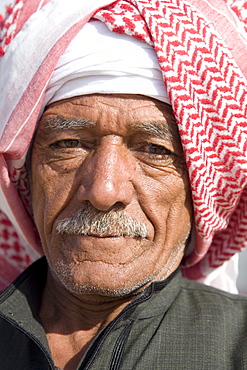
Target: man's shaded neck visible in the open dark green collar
[(72, 322)]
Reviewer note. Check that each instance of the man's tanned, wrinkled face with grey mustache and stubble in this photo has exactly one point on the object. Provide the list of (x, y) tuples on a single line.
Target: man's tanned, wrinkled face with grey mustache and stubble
[(115, 164)]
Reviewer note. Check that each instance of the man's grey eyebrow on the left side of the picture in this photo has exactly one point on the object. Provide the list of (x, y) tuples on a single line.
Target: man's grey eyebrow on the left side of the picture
[(59, 122)]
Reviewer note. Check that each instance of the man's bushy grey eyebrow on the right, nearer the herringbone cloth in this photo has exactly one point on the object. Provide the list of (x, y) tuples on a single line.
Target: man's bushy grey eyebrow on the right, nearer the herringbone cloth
[(159, 129)]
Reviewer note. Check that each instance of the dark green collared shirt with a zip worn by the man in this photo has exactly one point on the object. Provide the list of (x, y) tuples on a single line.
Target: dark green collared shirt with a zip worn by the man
[(175, 324)]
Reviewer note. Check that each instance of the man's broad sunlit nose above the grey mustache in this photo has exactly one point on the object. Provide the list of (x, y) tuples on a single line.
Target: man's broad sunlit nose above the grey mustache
[(107, 180)]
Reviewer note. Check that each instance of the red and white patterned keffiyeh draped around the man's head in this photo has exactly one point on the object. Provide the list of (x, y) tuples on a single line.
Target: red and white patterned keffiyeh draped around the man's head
[(201, 48)]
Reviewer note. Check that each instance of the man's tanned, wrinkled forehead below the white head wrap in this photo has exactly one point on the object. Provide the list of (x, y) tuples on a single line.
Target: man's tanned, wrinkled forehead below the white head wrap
[(139, 113)]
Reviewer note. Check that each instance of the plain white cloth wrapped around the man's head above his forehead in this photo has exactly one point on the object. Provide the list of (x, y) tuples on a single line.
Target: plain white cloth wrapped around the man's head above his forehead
[(101, 61)]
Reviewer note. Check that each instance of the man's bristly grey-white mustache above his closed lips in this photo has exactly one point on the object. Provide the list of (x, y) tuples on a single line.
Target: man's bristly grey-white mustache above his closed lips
[(90, 221)]
